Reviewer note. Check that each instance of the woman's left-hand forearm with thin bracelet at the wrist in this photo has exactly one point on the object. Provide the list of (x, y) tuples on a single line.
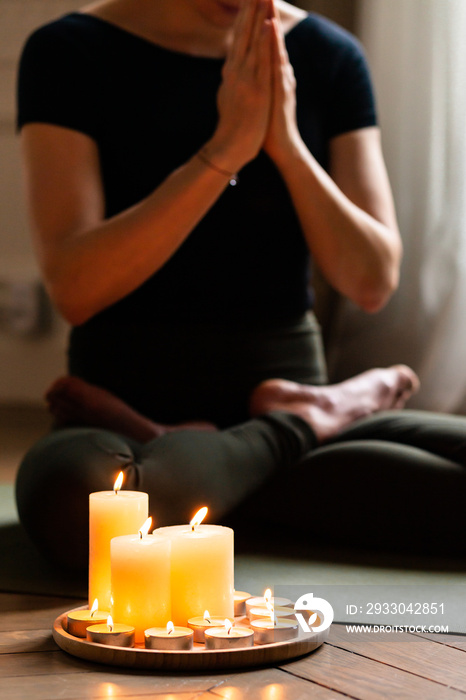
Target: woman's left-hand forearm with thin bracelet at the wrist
[(89, 268)]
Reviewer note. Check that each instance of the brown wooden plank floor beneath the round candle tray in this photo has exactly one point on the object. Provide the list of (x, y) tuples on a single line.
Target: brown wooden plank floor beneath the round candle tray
[(32, 667)]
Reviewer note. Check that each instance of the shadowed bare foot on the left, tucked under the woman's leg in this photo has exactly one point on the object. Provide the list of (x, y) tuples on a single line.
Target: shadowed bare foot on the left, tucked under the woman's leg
[(72, 401)]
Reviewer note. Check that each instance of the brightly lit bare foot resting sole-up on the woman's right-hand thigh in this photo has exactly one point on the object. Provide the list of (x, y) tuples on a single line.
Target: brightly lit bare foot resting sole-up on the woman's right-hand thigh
[(328, 409)]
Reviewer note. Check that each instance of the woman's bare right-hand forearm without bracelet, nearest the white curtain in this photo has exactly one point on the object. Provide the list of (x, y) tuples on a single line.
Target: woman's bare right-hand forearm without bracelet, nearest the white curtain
[(359, 254)]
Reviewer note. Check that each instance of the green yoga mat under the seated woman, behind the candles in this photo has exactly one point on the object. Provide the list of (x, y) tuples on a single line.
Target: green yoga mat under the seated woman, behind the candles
[(274, 559)]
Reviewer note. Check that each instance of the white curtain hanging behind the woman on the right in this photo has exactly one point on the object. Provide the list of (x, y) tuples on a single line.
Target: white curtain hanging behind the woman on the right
[(417, 53)]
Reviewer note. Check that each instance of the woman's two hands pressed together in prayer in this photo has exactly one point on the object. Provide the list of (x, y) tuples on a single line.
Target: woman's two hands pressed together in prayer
[(256, 100)]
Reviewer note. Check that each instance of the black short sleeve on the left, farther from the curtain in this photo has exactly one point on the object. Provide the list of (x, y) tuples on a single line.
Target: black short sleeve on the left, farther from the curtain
[(55, 81)]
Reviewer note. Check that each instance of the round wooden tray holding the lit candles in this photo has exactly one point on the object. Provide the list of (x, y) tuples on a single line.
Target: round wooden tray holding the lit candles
[(197, 659)]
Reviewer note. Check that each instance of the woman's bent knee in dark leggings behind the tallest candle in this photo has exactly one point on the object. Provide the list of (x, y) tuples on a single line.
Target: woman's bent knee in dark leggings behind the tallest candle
[(53, 485)]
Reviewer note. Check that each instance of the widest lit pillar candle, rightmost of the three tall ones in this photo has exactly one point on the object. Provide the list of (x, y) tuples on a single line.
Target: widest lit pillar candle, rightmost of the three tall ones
[(201, 569)]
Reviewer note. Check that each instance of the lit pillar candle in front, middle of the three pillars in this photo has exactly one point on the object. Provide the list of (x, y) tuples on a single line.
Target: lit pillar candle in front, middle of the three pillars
[(141, 580)]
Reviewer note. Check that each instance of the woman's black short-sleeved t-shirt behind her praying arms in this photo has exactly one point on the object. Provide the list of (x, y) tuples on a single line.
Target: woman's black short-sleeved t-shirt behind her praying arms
[(150, 109)]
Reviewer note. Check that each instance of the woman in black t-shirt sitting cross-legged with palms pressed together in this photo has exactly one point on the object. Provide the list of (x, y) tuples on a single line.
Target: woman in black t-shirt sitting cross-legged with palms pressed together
[(193, 357)]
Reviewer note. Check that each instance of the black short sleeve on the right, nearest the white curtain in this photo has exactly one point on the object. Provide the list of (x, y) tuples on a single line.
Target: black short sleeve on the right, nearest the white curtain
[(352, 101)]
